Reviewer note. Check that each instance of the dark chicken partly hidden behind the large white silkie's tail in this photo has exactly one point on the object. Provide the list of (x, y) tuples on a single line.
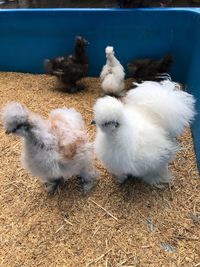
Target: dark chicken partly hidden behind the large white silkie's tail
[(150, 69)]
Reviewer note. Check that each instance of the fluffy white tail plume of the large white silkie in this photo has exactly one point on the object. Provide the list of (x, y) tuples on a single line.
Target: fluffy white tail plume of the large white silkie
[(172, 107)]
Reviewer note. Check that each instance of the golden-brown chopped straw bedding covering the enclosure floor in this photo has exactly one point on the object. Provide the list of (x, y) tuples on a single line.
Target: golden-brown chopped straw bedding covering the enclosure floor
[(132, 225)]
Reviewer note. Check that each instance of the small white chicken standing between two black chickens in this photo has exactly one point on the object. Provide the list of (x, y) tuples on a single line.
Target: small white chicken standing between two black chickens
[(112, 74)]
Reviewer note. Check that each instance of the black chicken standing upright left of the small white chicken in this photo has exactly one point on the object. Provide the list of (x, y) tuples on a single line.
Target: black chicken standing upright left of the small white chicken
[(72, 68)]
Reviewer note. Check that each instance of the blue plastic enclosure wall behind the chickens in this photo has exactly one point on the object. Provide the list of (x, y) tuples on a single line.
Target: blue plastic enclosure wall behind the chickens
[(27, 37)]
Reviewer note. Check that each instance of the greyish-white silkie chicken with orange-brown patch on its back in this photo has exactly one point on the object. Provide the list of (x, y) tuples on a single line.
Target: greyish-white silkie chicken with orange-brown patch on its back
[(55, 149)]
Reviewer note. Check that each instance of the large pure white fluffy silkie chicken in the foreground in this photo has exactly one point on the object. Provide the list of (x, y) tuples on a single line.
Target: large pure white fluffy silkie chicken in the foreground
[(137, 137)]
